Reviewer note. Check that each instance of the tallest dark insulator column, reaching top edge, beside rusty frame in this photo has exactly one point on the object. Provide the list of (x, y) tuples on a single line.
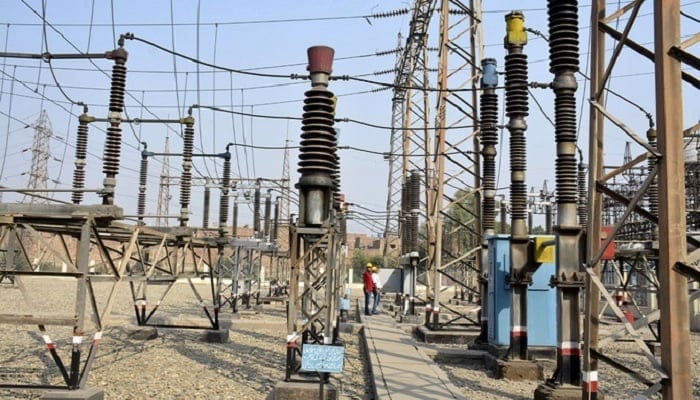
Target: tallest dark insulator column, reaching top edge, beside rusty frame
[(564, 63)]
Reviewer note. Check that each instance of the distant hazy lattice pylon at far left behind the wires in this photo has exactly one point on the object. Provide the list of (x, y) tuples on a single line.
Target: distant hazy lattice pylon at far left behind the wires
[(38, 172)]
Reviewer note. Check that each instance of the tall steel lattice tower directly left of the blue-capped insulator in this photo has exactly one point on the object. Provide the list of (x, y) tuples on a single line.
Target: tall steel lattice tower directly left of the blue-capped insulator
[(455, 161)]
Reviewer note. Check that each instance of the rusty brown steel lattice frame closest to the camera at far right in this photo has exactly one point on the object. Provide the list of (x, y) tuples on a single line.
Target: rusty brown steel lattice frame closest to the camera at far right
[(672, 375)]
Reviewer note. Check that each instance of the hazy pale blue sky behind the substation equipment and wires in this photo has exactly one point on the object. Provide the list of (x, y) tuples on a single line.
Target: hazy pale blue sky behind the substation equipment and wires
[(269, 37)]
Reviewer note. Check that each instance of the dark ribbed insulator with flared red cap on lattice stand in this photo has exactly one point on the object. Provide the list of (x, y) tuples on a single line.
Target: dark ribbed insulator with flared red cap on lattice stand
[(318, 146)]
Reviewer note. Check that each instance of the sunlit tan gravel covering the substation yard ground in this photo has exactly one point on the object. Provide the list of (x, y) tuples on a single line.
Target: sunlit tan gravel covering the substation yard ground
[(178, 364)]
